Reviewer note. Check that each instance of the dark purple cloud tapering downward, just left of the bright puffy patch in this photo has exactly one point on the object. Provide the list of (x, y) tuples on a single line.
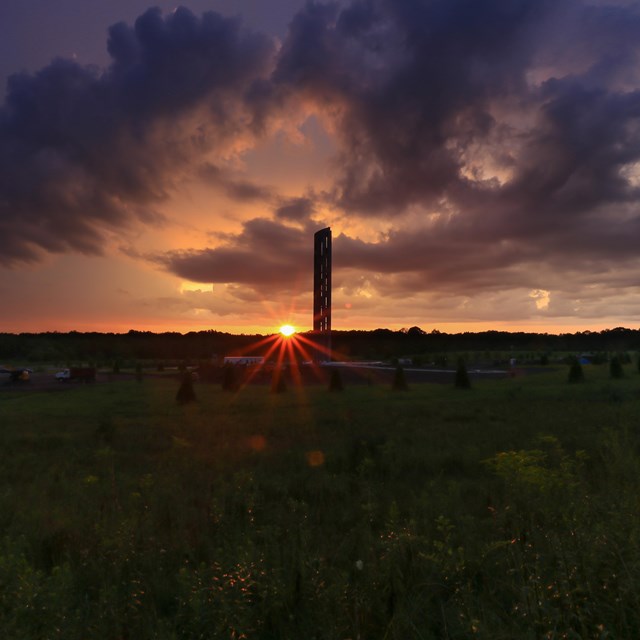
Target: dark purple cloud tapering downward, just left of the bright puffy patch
[(412, 83)]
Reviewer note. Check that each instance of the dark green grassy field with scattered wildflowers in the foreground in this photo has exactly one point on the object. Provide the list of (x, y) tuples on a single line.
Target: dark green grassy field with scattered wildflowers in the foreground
[(510, 510)]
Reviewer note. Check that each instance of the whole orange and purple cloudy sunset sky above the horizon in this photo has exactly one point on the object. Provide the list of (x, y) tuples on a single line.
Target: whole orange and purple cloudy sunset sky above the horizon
[(165, 168)]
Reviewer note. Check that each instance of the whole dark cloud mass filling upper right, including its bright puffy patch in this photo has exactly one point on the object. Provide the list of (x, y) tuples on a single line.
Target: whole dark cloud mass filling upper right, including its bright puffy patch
[(427, 92)]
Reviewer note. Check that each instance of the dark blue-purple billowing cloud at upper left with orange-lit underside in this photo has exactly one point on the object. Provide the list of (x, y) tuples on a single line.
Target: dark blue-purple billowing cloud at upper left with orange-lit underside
[(83, 152)]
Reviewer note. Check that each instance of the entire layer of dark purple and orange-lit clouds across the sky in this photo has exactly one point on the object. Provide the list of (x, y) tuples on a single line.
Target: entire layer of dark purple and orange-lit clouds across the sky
[(496, 143)]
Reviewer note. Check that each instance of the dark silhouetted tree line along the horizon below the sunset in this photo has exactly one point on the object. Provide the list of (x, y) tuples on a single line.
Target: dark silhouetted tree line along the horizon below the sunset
[(357, 344)]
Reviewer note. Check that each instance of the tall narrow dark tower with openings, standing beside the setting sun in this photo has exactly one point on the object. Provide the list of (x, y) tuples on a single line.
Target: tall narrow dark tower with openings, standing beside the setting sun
[(322, 291)]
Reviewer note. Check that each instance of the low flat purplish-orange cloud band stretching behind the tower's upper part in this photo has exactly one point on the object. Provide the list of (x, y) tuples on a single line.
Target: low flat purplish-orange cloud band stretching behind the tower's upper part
[(270, 257)]
